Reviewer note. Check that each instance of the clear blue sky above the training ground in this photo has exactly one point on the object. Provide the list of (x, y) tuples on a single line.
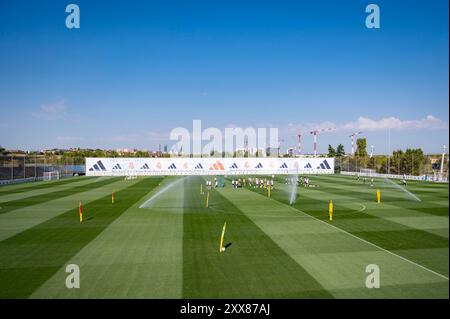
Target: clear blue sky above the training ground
[(137, 69)]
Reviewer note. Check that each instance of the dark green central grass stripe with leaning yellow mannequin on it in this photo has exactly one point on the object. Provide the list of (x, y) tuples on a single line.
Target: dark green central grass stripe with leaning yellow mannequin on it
[(254, 266)]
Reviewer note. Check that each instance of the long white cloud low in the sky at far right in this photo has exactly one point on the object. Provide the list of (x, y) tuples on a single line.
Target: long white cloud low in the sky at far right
[(362, 123)]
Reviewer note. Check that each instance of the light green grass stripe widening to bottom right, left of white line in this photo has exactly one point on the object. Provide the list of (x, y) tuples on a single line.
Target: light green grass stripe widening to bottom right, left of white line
[(333, 257)]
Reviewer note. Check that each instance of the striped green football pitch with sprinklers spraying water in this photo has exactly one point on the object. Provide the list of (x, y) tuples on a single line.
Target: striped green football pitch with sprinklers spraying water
[(159, 240)]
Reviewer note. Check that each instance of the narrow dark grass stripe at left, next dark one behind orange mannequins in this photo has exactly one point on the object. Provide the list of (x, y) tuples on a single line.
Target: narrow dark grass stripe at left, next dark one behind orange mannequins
[(9, 206)]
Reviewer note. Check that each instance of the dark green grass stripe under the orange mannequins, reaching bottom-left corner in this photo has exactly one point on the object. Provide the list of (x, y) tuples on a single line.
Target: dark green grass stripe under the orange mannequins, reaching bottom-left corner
[(33, 256)]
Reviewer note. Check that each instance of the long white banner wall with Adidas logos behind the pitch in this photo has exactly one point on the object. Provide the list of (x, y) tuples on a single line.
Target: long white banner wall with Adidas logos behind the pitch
[(207, 166)]
